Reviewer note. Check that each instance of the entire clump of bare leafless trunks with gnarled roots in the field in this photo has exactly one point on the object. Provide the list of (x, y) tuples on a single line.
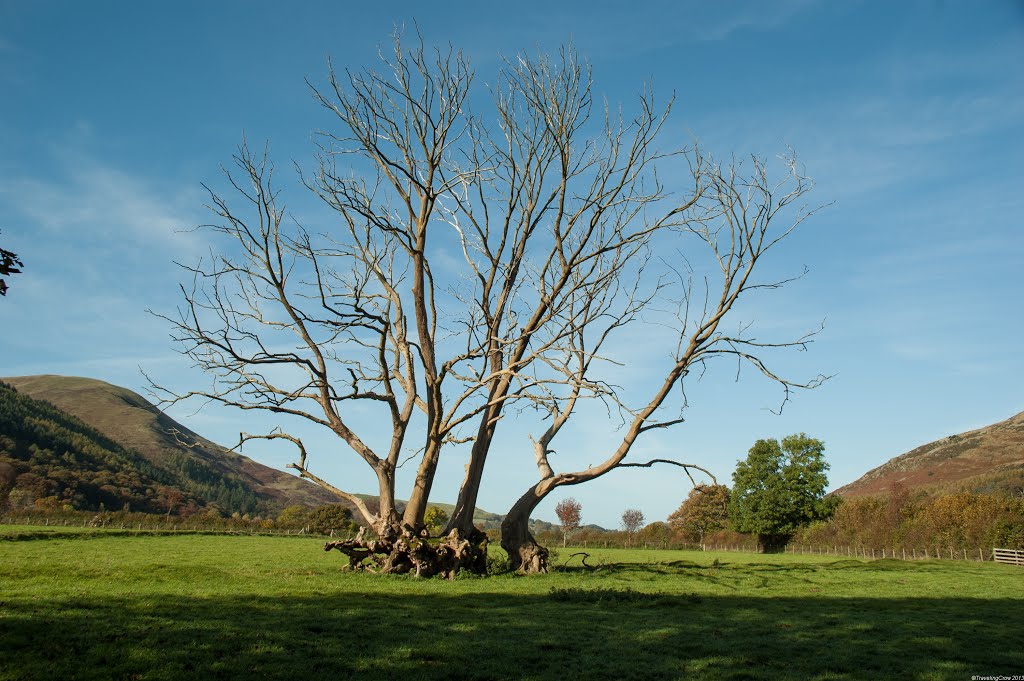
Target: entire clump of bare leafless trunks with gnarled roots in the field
[(365, 329)]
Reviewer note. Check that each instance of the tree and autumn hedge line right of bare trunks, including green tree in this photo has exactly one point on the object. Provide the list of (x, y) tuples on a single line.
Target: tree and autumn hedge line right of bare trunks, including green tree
[(779, 498)]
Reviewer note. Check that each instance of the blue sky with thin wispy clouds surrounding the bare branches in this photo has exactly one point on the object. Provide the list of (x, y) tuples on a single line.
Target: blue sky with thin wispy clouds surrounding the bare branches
[(909, 116)]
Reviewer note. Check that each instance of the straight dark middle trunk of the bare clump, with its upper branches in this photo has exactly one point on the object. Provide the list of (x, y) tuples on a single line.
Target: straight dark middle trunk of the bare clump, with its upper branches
[(556, 222)]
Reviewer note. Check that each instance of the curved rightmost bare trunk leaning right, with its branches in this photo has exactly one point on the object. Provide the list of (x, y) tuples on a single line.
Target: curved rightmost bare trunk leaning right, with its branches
[(736, 222)]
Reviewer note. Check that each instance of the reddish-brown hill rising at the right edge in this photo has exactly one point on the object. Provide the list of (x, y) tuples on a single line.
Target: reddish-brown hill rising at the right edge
[(989, 459)]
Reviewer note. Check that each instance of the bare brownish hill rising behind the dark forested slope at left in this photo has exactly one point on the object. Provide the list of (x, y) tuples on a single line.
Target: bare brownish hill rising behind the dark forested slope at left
[(193, 462)]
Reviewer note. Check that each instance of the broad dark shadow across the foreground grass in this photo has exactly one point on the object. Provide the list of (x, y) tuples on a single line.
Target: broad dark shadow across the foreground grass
[(508, 636)]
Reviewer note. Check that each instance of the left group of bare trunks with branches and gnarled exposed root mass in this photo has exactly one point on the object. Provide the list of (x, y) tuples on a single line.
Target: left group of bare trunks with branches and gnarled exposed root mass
[(319, 325)]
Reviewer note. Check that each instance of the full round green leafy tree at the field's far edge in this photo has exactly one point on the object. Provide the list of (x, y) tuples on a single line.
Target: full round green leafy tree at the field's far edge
[(780, 489)]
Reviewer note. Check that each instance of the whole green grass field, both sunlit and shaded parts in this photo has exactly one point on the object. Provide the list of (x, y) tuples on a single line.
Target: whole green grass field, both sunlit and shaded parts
[(96, 607)]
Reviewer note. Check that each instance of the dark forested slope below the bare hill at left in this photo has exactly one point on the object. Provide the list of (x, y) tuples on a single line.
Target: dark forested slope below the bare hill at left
[(50, 459)]
